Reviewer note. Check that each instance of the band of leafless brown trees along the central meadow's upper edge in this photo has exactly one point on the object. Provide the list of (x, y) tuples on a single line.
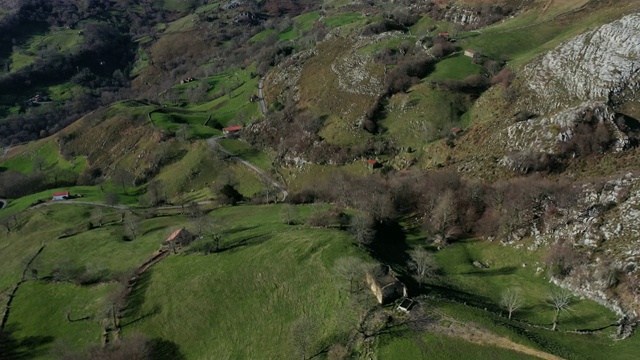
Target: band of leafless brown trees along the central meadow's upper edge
[(448, 206)]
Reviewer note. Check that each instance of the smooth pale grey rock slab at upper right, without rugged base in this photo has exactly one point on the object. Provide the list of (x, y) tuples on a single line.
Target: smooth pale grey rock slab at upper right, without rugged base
[(602, 65)]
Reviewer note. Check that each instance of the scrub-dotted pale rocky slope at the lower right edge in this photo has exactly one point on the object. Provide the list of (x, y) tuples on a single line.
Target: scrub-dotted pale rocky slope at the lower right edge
[(602, 227)]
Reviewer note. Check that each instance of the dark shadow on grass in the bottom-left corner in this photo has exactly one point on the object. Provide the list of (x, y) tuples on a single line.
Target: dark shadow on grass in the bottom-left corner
[(28, 347)]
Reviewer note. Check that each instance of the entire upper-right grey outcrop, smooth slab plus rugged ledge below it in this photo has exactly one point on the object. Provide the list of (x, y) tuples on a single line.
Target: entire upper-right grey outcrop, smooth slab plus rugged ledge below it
[(583, 80)]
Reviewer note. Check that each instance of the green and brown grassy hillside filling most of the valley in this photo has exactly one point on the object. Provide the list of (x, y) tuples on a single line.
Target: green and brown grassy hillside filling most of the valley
[(147, 165)]
